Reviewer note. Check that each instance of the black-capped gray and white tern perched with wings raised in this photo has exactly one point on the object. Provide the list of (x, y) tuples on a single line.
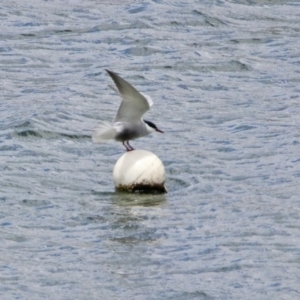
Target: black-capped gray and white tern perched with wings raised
[(128, 123)]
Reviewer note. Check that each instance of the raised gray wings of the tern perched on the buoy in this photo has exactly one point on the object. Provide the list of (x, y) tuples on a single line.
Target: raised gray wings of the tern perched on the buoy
[(134, 104)]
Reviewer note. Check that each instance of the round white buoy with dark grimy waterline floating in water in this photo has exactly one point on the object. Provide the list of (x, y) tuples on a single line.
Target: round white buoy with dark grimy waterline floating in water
[(139, 171)]
